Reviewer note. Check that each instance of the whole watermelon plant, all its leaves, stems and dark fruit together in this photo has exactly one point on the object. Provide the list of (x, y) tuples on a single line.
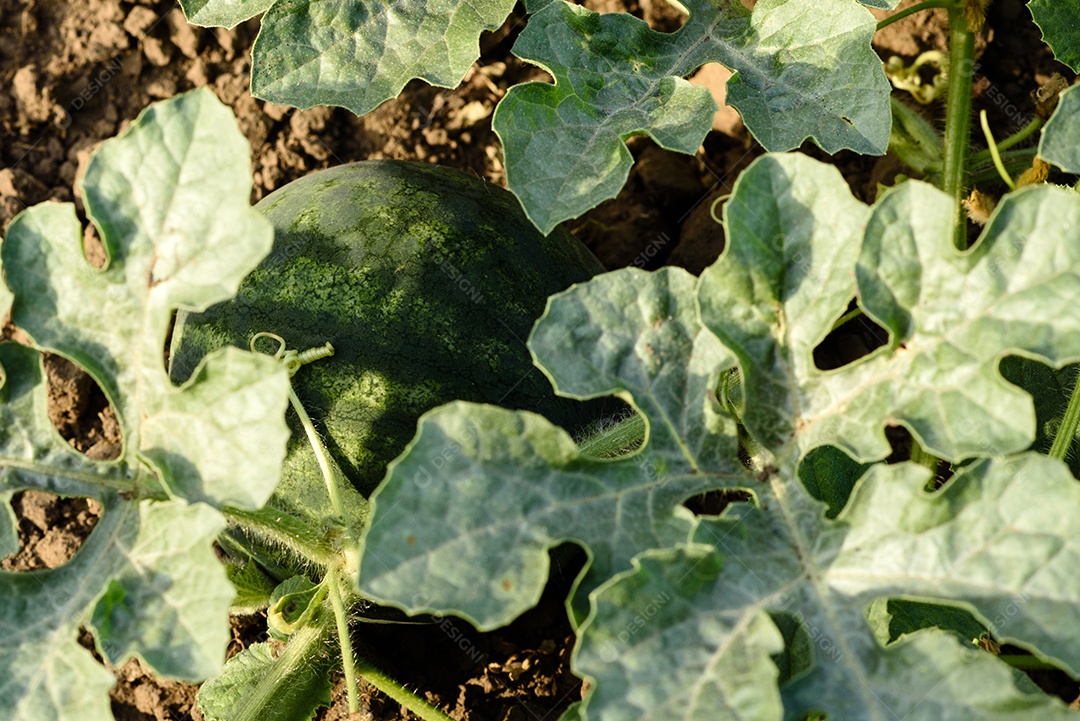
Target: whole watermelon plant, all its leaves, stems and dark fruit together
[(841, 586)]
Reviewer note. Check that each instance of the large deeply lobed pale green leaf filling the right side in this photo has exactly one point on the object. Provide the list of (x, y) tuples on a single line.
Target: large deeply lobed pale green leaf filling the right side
[(762, 613)]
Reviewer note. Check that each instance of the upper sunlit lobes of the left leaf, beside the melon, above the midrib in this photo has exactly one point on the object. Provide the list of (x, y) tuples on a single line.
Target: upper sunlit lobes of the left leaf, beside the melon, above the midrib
[(171, 201)]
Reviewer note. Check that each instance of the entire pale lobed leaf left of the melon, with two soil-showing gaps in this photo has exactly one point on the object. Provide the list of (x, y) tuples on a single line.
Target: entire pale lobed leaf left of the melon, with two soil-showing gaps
[(170, 199)]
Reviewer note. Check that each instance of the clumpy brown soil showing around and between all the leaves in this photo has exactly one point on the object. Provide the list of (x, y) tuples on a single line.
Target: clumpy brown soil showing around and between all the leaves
[(76, 74)]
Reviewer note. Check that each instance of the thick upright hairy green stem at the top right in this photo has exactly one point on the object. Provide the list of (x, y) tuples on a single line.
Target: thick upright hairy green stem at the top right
[(958, 117)]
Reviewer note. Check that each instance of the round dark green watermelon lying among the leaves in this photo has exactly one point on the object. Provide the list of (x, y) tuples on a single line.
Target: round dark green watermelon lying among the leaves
[(426, 280)]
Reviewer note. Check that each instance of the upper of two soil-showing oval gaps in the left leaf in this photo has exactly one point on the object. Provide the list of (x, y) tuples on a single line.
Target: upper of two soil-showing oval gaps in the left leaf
[(79, 411)]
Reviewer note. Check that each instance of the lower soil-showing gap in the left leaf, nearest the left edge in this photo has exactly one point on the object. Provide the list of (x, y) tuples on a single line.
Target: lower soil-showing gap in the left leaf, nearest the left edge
[(51, 529)]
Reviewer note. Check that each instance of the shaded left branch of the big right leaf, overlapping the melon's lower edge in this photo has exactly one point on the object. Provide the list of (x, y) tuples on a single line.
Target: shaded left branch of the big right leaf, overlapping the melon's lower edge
[(485, 488)]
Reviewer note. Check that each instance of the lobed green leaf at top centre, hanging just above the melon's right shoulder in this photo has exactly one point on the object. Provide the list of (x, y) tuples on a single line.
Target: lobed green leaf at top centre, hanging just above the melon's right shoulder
[(615, 77)]
